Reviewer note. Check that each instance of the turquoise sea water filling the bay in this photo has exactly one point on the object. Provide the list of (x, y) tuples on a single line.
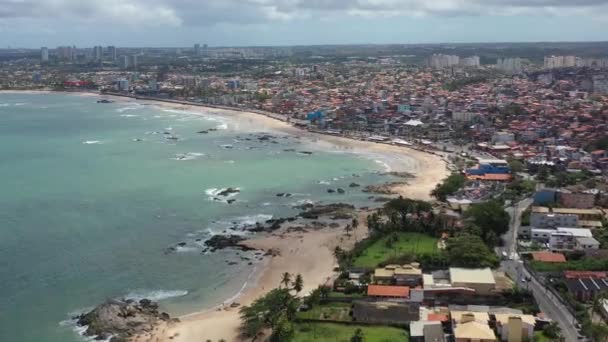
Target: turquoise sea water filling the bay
[(86, 212)]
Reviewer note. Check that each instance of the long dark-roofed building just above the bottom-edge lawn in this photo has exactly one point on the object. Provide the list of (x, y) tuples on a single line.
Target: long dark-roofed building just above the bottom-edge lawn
[(386, 312)]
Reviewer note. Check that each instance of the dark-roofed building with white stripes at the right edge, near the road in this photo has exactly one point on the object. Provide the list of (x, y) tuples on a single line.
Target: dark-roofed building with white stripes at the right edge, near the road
[(585, 285)]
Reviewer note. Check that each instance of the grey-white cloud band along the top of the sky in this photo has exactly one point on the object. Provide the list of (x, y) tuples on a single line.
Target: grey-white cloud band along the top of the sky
[(172, 13)]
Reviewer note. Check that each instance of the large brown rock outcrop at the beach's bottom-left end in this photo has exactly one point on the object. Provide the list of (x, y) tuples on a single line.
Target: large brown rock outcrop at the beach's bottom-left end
[(122, 319)]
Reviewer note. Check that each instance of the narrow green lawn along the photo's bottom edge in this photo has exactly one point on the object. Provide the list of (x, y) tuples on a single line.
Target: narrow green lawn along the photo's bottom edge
[(330, 332)]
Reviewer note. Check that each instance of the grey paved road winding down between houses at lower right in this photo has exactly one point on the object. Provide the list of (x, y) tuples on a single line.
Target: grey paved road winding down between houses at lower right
[(547, 302)]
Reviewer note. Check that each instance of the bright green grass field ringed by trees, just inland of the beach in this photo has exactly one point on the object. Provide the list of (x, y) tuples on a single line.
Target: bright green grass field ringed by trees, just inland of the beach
[(413, 243)]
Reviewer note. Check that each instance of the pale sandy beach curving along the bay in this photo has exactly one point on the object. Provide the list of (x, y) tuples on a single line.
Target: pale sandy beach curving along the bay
[(222, 321)]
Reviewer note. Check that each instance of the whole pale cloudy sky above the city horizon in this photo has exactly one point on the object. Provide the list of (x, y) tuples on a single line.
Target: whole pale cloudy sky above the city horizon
[(181, 23)]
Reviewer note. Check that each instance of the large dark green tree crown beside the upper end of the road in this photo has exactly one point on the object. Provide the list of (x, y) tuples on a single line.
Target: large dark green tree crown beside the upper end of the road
[(491, 217)]
